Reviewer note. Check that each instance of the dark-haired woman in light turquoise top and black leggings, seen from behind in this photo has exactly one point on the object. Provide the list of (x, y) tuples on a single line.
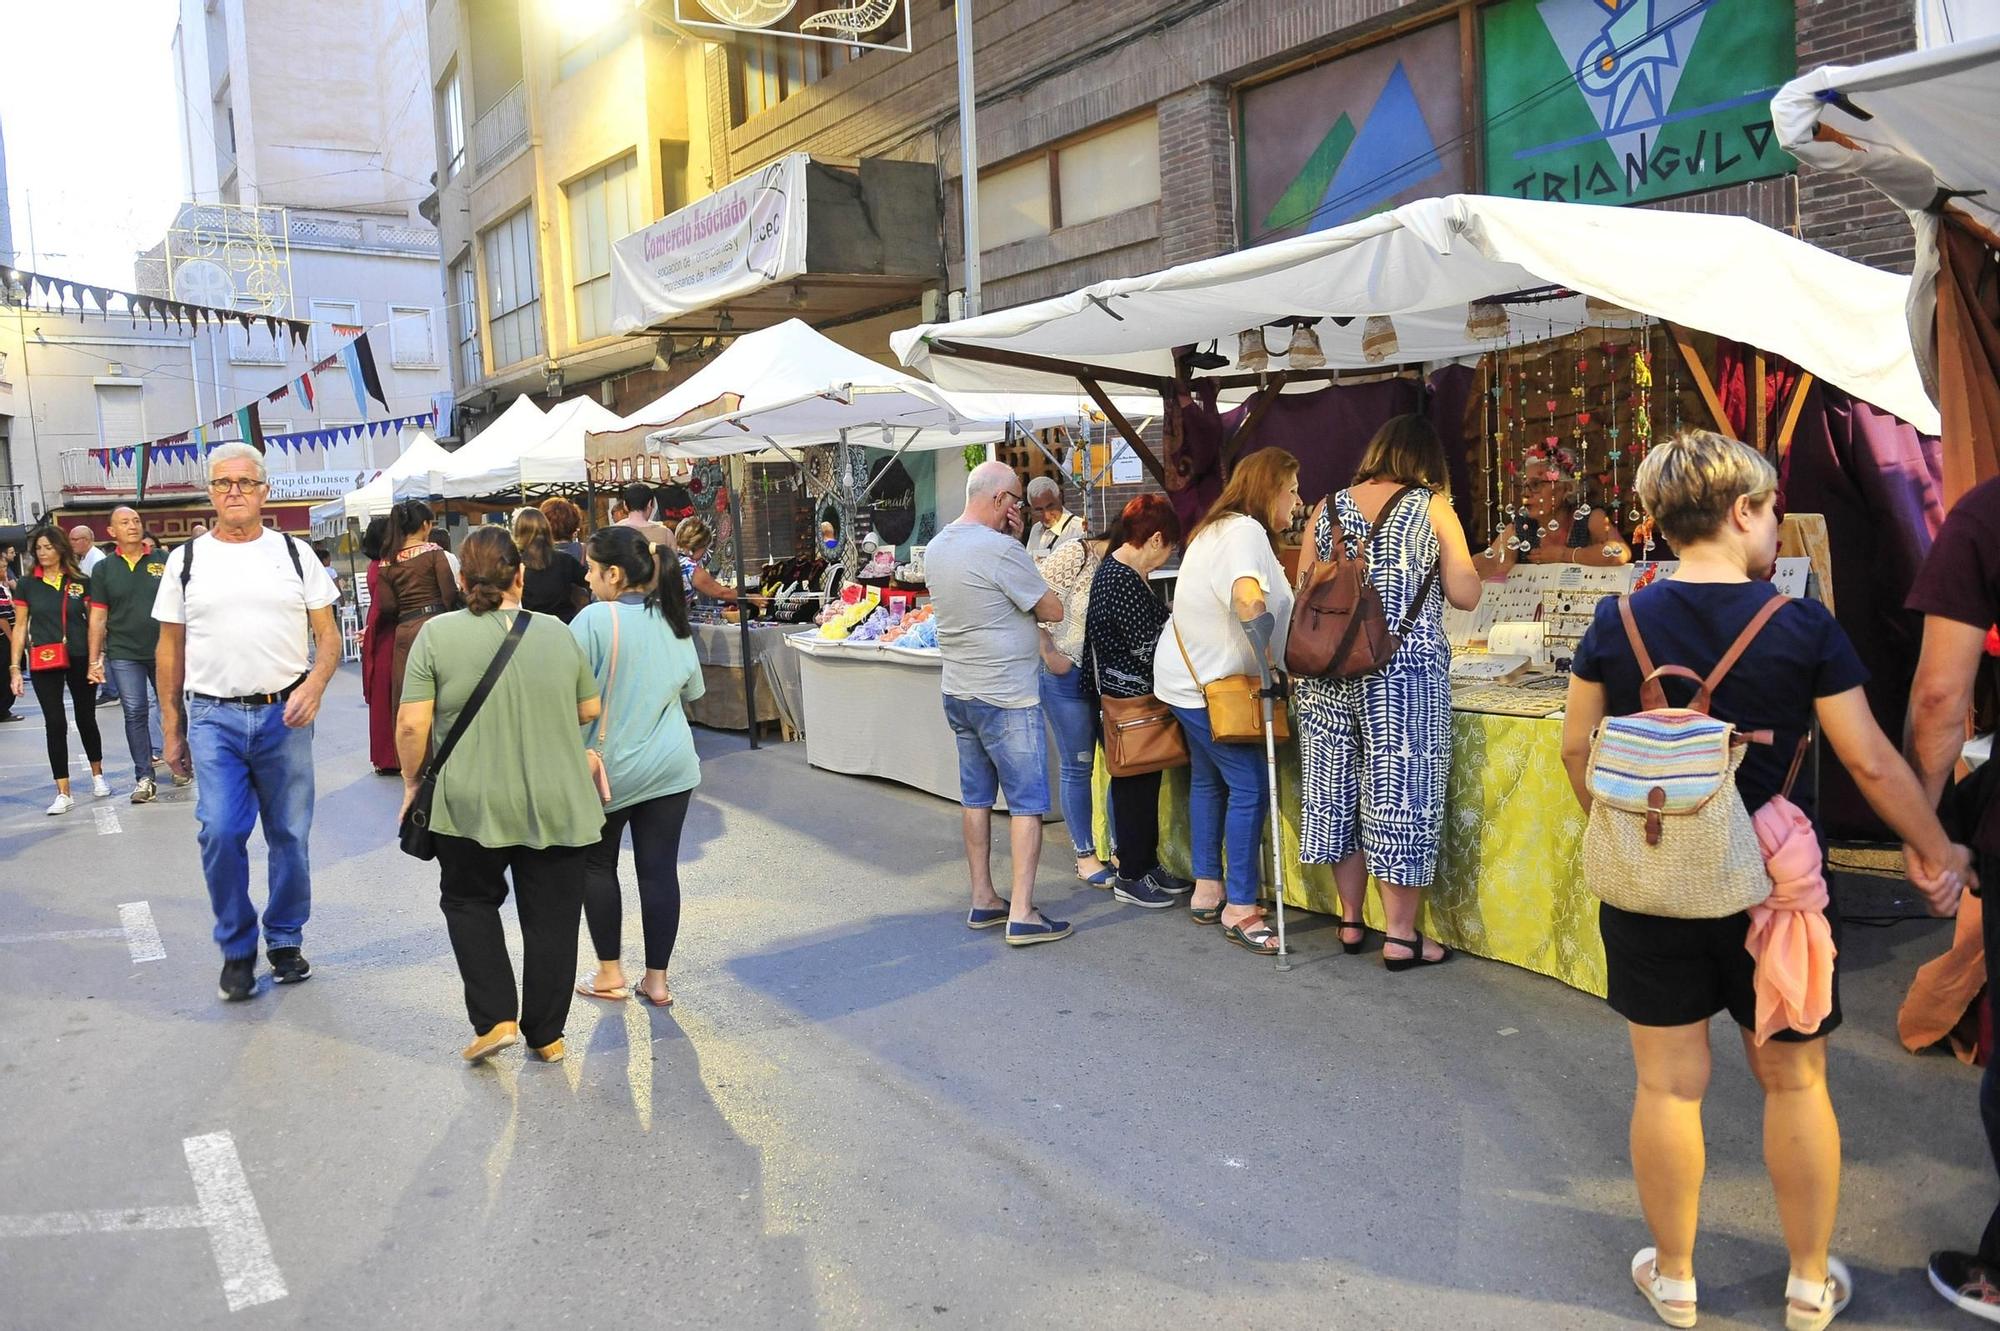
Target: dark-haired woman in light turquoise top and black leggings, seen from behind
[(643, 657)]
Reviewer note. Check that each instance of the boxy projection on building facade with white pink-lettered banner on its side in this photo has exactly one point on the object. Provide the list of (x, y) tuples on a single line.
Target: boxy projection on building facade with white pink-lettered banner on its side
[(791, 237)]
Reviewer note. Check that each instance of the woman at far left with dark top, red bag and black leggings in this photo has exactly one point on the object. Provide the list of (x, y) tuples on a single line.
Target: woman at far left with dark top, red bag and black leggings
[(53, 611)]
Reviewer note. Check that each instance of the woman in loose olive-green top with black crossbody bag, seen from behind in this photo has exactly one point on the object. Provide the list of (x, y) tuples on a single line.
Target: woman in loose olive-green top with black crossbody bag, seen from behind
[(519, 796)]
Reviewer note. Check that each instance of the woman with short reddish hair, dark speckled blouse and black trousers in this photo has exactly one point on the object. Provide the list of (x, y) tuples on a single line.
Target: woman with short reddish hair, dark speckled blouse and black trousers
[(1121, 631)]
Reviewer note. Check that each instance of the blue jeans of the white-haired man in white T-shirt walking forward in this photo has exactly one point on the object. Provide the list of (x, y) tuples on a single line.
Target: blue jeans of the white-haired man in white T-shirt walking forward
[(253, 764)]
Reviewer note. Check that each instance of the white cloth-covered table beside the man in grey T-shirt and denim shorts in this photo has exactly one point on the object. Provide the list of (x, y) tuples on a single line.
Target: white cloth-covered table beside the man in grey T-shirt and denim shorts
[(881, 712)]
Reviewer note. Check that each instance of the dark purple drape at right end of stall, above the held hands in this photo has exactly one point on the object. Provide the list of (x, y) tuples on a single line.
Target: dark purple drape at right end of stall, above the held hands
[(1881, 487)]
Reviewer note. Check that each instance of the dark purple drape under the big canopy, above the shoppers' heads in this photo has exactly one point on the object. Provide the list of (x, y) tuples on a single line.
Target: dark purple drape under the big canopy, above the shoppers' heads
[(1327, 431)]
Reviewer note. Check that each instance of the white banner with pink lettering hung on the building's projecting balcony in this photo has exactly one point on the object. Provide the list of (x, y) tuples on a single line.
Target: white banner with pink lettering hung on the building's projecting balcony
[(733, 243)]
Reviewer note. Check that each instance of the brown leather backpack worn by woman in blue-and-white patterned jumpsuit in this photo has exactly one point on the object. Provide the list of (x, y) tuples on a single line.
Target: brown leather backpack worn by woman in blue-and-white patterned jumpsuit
[(1339, 627)]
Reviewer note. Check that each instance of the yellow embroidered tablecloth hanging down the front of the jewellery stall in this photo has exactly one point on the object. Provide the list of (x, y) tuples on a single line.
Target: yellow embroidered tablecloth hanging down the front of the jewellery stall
[(1509, 880)]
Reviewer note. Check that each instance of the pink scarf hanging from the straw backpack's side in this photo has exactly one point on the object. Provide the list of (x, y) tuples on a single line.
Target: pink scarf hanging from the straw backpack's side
[(1789, 936)]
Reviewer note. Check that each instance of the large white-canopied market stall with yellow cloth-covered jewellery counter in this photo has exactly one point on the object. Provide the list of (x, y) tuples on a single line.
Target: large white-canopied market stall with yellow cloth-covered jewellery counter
[(1545, 337)]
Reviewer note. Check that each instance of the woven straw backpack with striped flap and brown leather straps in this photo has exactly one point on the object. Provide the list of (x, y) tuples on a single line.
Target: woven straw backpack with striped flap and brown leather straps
[(1669, 834)]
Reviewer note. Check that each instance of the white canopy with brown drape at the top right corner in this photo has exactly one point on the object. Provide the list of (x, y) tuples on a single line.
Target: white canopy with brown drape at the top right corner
[(1921, 129)]
